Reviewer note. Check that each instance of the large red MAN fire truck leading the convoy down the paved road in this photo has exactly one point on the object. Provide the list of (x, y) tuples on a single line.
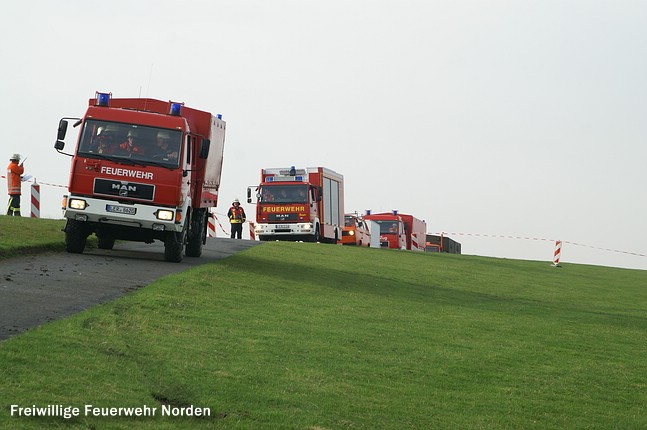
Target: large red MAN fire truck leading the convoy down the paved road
[(142, 170)]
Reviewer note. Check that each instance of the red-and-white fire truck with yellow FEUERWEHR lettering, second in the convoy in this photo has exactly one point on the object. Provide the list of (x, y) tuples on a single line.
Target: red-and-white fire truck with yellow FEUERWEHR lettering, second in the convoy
[(299, 204)]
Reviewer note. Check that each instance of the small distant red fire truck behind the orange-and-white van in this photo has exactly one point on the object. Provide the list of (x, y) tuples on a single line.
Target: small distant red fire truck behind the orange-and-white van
[(400, 231)]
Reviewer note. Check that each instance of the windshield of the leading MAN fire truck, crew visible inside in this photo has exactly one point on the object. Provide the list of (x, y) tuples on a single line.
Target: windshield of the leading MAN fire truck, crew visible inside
[(141, 144)]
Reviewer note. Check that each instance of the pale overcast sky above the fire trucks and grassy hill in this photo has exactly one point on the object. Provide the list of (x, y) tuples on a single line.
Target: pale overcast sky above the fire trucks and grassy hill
[(492, 118)]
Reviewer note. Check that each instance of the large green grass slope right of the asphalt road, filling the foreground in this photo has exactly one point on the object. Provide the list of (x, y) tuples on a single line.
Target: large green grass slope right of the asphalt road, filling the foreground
[(311, 336)]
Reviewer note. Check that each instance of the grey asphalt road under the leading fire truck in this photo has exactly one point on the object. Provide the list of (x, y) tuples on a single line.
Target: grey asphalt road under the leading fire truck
[(35, 289)]
